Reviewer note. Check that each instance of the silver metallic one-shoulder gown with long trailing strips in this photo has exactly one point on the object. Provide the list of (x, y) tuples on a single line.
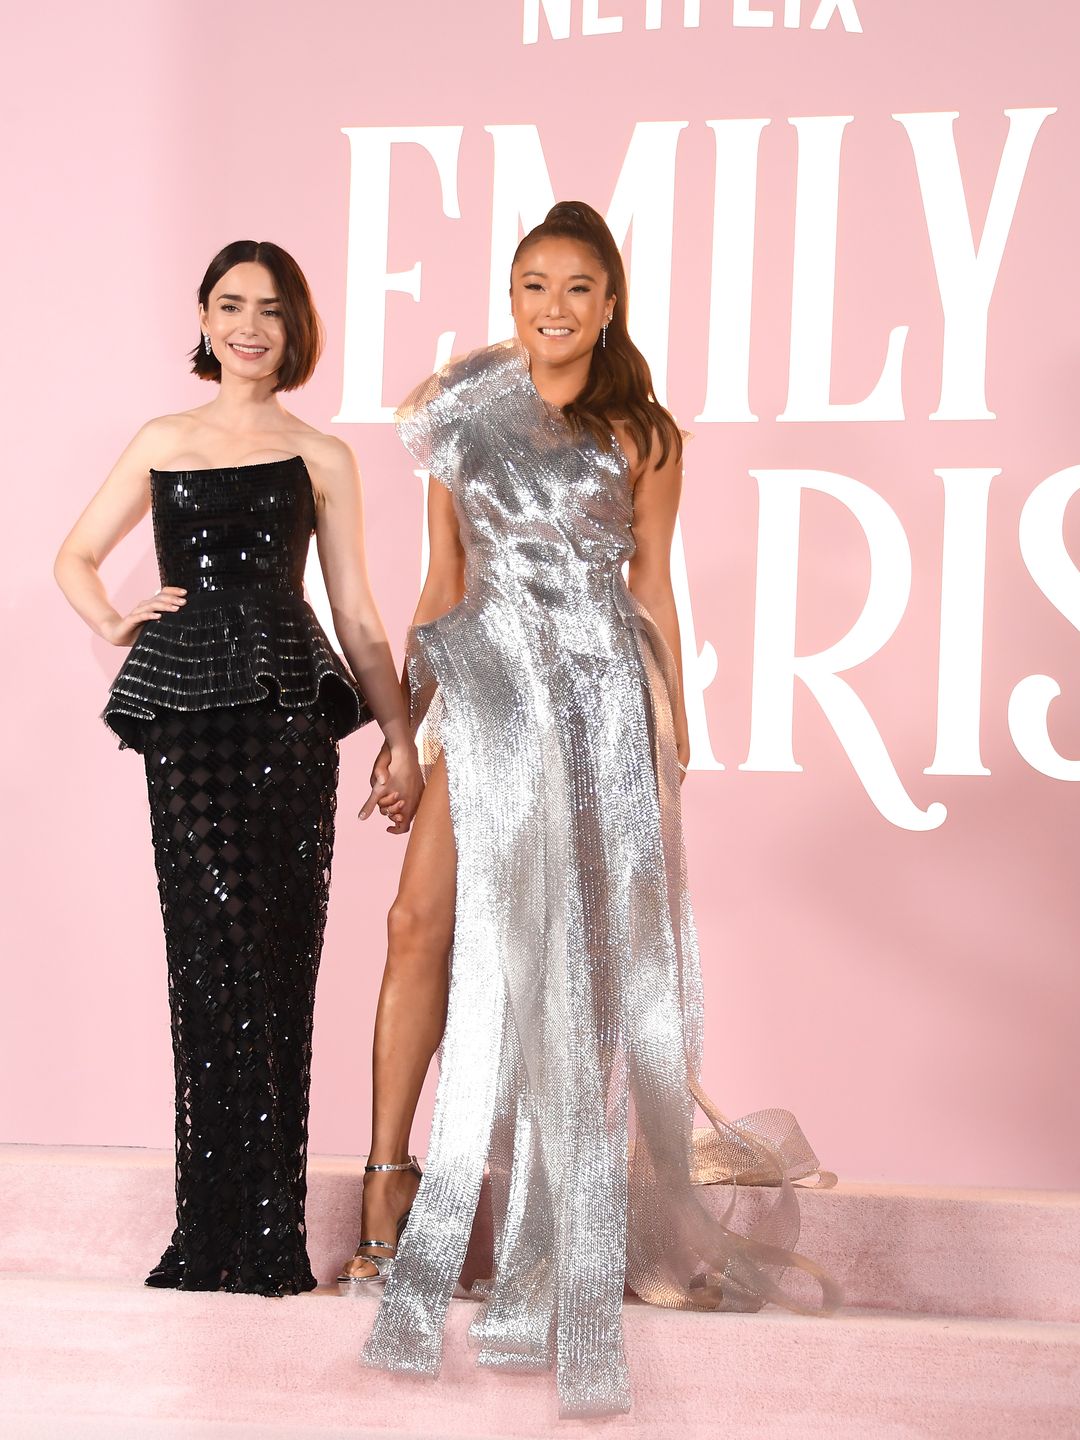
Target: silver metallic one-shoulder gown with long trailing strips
[(574, 1039)]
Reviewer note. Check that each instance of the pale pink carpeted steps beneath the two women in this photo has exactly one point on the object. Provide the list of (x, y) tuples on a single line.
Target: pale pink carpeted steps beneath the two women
[(963, 1324)]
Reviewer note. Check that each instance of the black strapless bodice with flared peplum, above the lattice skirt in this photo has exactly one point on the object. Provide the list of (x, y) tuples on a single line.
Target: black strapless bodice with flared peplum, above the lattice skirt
[(237, 541)]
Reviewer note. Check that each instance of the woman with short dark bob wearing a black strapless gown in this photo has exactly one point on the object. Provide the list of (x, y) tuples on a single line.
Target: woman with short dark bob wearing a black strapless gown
[(237, 702)]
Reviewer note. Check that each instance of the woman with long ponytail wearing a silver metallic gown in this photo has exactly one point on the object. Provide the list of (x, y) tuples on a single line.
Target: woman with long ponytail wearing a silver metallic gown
[(548, 855)]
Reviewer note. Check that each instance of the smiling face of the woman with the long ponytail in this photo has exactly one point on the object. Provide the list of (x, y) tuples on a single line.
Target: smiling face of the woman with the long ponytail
[(561, 299)]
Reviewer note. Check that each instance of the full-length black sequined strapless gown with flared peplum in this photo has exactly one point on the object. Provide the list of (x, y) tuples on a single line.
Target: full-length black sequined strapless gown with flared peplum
[(237, 705)]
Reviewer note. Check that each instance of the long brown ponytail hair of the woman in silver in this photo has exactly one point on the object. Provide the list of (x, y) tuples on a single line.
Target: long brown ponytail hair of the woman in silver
[(620, 385)]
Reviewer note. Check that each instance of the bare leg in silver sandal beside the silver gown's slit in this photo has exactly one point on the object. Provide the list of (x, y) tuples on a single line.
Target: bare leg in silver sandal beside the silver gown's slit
[(413, 1007)]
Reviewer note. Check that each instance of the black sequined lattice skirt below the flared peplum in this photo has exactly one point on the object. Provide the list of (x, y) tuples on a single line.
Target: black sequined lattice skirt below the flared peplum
[(243, 816)]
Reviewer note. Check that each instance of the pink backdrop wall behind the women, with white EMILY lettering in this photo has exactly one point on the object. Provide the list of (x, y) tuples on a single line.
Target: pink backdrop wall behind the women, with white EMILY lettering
[(917, 990)]
